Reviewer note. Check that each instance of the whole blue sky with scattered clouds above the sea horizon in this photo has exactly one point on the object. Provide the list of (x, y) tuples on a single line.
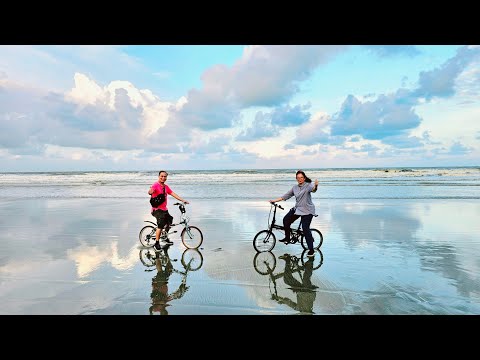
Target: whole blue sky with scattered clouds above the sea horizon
[(194, 107)]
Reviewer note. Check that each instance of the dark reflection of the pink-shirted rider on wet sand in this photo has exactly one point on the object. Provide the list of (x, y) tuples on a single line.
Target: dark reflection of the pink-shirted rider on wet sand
[(160, 296)]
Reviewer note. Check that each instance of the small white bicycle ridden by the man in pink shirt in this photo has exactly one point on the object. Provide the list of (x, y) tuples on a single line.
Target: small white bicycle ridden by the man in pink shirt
[(191, 236)]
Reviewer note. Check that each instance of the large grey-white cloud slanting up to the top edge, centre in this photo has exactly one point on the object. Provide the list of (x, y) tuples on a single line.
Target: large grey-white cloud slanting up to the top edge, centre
[(263, 76)]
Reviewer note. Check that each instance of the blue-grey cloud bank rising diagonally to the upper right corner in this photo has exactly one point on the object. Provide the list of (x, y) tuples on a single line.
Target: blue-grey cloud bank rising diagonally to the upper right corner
[(390, 116)]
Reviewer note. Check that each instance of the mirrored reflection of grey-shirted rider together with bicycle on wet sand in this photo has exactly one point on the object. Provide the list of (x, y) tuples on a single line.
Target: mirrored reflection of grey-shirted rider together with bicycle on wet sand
[(296, 276)]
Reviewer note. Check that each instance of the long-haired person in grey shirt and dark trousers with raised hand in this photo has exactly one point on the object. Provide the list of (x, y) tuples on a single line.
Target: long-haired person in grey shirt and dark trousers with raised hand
[(304, 208)]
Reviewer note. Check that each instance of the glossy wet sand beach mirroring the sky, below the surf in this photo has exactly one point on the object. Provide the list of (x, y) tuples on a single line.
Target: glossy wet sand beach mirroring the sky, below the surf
[(384, 256)]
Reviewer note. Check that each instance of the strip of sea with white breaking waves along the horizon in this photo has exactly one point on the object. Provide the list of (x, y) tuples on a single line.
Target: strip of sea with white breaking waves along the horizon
[(375, 183)]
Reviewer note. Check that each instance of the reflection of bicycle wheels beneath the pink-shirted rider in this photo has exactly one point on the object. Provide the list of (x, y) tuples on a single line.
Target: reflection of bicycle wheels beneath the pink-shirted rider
[(191, 258)]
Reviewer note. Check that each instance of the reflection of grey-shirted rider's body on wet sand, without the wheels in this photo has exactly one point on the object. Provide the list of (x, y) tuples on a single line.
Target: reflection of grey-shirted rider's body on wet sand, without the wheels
[(304, 290)]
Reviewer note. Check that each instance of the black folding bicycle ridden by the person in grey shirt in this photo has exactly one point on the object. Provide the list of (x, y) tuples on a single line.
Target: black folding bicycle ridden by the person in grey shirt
[(265, 240)]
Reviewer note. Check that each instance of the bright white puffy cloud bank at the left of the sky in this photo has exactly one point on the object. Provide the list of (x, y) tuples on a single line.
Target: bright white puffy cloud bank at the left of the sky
[(116, 117)]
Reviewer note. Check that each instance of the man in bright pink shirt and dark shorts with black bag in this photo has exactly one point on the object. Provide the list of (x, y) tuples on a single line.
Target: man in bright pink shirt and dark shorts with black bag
[(161, 212)]
